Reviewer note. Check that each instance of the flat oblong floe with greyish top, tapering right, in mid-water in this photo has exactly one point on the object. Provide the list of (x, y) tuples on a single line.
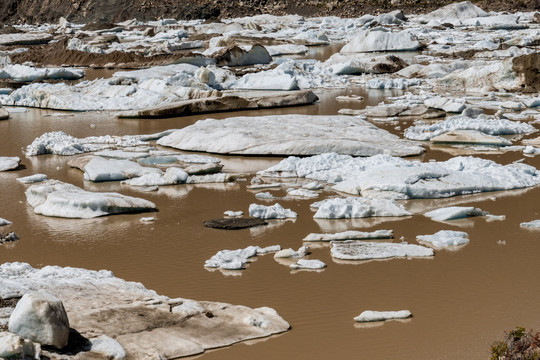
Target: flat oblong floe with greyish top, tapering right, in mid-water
[(365, 250)]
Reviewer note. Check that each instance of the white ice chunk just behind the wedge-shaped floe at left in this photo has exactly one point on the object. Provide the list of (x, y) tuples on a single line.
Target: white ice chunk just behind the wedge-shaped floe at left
[(100, 169)]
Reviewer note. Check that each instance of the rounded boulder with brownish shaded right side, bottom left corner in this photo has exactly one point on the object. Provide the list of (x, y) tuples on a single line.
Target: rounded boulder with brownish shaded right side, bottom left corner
[(41, 317)]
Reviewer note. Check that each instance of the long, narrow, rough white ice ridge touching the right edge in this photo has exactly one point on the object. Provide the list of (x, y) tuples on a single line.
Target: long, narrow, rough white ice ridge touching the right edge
[(487, 125)]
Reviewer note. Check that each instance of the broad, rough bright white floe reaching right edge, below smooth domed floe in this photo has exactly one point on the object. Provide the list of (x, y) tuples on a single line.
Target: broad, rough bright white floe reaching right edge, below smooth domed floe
[(393, 177)]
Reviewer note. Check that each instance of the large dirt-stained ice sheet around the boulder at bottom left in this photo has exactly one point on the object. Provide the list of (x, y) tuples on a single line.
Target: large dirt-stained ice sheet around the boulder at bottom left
[(100, 305)]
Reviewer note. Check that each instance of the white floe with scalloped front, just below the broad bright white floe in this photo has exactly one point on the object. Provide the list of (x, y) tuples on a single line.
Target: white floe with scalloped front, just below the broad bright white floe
[(357, 207)]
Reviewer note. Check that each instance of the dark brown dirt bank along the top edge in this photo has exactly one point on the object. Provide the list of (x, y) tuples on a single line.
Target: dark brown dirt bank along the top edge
[(29, 11)]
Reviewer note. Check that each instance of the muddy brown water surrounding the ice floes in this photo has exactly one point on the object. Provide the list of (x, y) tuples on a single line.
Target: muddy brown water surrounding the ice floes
[(462, 300)]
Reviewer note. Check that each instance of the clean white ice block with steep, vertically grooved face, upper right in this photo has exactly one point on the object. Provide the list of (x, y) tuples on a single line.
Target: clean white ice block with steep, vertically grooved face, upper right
[(371, 41)]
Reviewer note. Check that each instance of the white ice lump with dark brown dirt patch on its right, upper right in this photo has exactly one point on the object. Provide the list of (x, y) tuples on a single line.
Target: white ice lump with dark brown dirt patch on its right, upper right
[(352, 64)]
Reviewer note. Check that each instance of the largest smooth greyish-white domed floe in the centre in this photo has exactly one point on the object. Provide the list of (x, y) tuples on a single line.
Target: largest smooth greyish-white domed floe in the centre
[(289, 135)]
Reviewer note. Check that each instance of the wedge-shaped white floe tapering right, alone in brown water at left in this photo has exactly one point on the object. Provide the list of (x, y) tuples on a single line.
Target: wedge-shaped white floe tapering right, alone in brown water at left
[(59, 199)]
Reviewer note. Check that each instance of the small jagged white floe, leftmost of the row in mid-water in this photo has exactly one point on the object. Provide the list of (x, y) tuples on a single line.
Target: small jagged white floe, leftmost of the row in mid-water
[(237, 259)]
